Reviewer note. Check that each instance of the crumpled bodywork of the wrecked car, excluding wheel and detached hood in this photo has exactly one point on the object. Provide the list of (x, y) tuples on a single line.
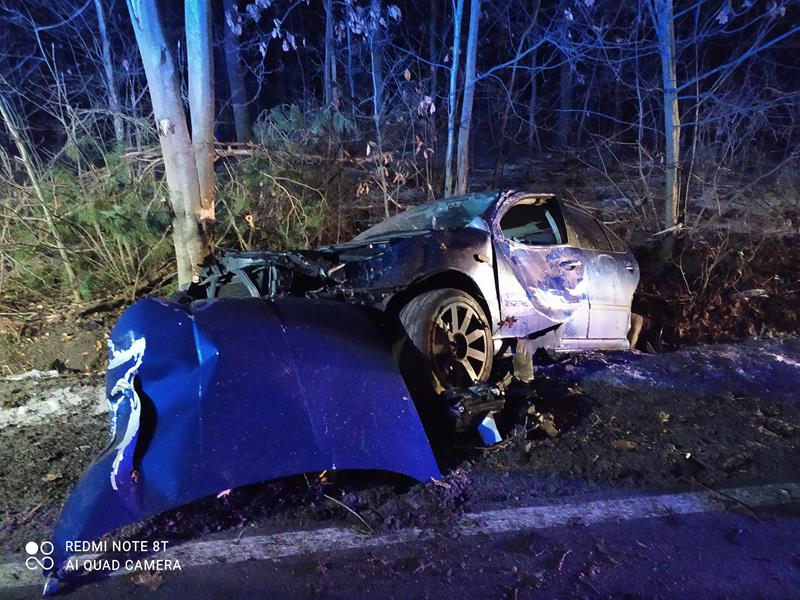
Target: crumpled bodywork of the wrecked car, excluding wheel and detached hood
[(573, 291)]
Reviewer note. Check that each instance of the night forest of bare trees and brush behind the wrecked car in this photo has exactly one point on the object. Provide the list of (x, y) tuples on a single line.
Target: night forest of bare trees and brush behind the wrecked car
[(319, 118)]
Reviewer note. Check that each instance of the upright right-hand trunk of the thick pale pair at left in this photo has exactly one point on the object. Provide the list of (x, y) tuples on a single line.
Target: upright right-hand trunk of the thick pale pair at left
[(200, 62)]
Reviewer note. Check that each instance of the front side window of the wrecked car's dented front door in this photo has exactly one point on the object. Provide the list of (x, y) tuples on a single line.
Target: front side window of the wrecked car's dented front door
[(535, 222)]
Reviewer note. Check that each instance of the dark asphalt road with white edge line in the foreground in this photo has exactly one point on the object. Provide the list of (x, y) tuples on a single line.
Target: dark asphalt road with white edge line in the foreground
[(741, 543)]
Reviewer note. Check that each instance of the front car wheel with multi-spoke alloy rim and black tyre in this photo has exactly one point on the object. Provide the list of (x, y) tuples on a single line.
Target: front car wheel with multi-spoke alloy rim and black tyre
[(450, 330)]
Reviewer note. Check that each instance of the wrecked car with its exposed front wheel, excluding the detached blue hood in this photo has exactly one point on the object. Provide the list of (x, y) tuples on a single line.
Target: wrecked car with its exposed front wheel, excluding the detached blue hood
[(469, 278)]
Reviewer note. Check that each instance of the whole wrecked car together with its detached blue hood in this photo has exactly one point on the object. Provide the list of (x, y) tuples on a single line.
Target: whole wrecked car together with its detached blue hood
[(278, 363)]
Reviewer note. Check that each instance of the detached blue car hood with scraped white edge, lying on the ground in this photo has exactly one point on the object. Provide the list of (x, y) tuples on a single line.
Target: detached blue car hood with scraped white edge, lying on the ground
[(228, 392)]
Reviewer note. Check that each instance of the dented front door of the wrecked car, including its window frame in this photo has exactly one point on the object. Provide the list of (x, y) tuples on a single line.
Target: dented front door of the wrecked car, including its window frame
[(541, 276)]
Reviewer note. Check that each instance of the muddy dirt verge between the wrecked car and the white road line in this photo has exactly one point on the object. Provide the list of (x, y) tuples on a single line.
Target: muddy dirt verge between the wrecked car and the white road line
[(709, 416)]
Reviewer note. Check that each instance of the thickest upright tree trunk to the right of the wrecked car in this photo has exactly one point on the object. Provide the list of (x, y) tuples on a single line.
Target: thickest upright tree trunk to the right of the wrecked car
[(665, 32)]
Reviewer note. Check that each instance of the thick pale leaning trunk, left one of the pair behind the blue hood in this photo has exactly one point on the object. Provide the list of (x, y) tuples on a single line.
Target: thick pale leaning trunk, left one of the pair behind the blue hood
[(191, 246)]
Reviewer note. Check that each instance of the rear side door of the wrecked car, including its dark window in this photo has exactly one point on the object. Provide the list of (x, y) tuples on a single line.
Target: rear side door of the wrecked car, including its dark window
[(612, 275)]
